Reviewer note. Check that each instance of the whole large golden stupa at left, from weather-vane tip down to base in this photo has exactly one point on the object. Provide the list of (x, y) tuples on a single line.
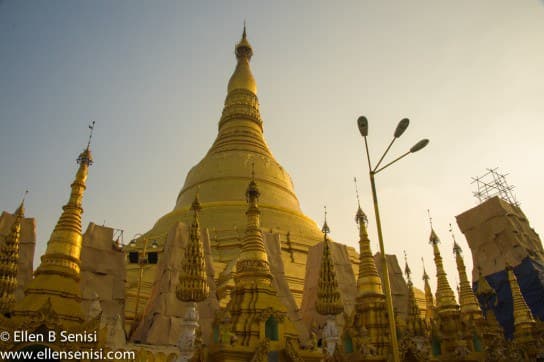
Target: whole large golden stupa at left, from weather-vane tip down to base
[(52, 300)]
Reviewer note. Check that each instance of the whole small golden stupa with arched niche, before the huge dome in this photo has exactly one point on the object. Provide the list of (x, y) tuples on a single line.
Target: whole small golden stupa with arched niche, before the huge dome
[(256, 316)]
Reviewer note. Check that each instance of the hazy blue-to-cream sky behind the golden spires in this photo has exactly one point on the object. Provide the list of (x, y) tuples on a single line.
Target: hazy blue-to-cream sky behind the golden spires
[(153, 75)]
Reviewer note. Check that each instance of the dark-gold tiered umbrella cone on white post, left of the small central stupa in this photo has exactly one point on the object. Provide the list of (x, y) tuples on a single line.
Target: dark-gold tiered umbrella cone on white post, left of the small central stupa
[(193, 280)]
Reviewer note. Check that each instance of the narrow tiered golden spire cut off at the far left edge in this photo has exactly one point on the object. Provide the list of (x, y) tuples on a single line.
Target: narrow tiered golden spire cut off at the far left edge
[(9, 259)]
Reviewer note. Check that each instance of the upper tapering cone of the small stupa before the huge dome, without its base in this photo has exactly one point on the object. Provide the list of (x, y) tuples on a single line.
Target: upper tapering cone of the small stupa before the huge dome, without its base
[(253, 261)]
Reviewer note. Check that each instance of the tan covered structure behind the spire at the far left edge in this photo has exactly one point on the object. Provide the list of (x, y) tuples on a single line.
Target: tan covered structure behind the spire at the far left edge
[(26, 249)]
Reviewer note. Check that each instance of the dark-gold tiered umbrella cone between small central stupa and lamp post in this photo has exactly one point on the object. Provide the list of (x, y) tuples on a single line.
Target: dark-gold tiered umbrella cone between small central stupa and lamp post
[(328, 297)]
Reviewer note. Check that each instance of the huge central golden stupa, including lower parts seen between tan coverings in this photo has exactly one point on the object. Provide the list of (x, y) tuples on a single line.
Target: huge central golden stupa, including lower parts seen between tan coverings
[(221, 177)]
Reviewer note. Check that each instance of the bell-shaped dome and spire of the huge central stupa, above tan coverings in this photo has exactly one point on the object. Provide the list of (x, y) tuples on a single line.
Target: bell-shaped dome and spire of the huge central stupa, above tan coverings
[(223, 174)]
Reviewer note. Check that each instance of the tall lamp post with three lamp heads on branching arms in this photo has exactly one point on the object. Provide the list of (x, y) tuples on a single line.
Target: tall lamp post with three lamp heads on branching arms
[(362, 123)]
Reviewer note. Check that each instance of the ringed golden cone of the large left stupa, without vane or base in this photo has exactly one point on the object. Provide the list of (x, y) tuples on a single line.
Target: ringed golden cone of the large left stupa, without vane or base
[(56, 280)]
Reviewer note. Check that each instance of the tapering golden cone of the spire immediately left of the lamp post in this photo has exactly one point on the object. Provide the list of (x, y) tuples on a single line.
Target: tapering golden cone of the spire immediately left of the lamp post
[(368, 280)]
